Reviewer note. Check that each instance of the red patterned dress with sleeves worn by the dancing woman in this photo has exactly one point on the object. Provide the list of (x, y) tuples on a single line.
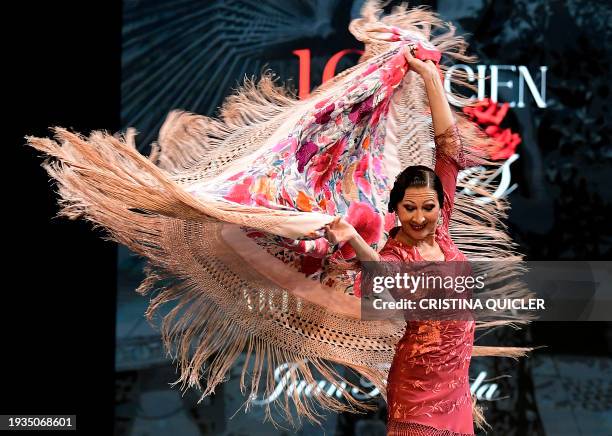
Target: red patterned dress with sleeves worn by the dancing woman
[(428, 390)]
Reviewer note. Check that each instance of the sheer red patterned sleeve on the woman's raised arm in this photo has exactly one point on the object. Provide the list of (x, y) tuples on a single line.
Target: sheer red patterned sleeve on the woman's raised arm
[(450, 159)]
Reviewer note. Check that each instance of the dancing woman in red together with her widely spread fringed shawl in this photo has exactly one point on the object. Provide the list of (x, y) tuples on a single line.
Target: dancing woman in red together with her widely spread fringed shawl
[(245, 220)]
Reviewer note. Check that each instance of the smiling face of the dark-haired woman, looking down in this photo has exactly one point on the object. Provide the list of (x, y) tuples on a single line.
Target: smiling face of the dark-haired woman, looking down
[(418, 212)]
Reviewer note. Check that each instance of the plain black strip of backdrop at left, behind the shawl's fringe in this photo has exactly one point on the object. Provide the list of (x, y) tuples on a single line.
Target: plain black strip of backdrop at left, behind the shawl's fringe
[(58, 316)]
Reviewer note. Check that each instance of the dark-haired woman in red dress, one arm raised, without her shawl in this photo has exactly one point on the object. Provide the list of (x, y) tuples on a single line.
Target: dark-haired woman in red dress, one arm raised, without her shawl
[(428, 386)]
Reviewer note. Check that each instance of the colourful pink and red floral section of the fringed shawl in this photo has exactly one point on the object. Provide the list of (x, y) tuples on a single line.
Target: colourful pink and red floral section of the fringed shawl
[(332, 162)]
